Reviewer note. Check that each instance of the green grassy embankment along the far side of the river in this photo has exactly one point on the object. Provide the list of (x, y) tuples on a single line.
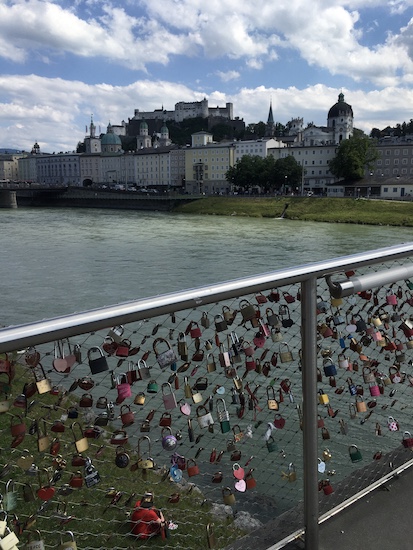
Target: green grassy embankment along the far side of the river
[(323, 209)]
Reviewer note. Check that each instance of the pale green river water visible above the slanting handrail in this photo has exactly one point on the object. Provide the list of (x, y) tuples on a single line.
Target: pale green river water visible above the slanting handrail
[(56, 261)]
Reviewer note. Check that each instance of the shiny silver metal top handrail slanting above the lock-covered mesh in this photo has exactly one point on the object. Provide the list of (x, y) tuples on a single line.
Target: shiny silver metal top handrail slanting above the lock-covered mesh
[(40, 332)]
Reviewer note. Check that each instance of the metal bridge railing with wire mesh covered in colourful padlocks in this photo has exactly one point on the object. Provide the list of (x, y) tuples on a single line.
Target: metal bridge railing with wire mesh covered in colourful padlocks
[(278, 392)]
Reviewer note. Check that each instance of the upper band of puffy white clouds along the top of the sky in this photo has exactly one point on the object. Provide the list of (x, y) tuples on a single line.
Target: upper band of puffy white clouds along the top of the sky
[(325, 34)]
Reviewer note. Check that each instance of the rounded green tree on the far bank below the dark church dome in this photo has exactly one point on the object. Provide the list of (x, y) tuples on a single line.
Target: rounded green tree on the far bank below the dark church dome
[(353, 156)]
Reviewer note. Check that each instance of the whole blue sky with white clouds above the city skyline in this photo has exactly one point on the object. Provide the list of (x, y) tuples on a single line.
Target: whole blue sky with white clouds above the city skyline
[(63, 61)]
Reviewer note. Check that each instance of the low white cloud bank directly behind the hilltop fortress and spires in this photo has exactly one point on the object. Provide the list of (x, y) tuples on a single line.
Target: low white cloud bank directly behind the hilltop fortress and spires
[(54, 112)]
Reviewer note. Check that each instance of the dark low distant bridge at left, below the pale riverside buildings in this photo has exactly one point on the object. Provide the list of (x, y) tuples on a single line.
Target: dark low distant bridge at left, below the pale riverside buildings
[(79, 197)]
